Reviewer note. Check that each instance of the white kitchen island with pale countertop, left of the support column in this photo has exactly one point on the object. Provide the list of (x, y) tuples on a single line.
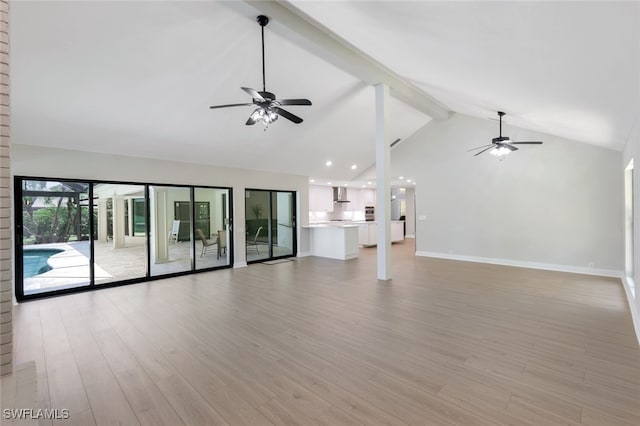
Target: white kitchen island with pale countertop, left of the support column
[(337, 240)]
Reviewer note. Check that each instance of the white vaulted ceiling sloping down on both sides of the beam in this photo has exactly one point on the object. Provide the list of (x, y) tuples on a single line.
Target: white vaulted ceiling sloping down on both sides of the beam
[(136, 78)]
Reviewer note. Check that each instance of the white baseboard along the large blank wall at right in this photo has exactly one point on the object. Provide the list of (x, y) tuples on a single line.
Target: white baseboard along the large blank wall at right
[(525, 264)]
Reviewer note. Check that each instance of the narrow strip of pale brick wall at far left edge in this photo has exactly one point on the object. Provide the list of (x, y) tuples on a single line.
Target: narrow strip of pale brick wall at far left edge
[(6, 295)]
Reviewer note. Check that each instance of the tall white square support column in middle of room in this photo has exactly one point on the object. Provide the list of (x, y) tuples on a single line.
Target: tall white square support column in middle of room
[(383, 183)]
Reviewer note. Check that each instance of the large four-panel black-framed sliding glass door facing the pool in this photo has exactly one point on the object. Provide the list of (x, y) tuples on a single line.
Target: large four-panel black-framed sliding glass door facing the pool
[(73, 235)]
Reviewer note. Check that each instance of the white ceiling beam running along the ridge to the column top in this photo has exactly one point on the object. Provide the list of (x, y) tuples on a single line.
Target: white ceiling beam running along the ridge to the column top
[(311, 35)]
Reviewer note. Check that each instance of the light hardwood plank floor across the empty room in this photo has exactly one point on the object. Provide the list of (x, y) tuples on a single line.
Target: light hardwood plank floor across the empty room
[(317, 341)]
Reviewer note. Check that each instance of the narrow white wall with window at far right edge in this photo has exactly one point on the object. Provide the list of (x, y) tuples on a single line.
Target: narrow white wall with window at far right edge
[(632, 151)]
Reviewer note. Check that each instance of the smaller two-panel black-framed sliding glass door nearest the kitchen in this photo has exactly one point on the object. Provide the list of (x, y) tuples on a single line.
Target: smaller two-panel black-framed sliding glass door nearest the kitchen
[(270, 224)]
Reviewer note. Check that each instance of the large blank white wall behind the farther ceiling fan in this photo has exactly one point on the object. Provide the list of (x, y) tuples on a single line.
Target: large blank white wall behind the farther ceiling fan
[(555, 206)]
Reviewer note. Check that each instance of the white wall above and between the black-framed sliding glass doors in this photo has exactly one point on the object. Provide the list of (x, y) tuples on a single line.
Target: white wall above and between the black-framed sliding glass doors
[(38, 161)]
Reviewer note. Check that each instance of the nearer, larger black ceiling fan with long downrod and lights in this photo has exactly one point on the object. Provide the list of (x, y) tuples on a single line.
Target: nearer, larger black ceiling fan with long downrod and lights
[(269, 107)]
